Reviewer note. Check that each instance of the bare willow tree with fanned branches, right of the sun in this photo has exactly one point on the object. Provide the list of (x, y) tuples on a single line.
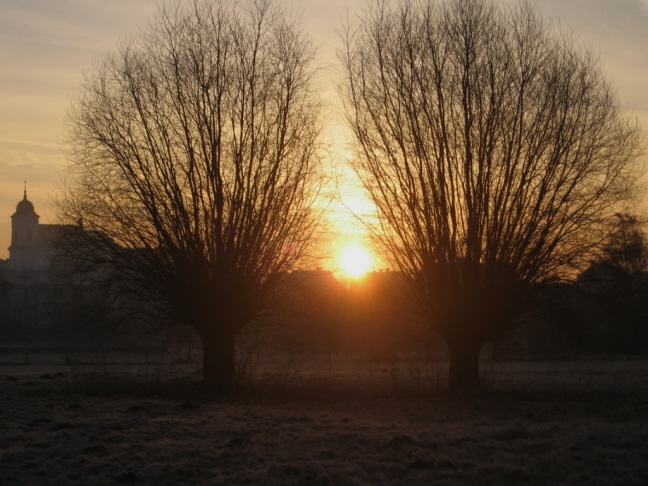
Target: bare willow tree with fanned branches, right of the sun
[(495, 151)]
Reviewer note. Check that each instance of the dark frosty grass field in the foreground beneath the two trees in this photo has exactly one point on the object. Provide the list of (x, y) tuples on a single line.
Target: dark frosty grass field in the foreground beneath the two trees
[(536, 423)]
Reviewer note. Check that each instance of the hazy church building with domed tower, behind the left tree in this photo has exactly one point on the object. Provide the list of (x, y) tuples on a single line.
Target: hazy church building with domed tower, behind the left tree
[(46, 300)]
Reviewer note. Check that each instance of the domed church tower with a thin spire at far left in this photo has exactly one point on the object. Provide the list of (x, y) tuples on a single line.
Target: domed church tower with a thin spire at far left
[(25, 252)]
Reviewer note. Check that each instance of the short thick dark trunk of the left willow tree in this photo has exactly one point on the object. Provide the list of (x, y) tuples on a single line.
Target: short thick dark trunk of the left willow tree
[(219, 363)]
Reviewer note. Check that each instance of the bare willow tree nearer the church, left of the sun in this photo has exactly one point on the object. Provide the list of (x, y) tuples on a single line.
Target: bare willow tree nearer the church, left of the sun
[(194, 166)]
